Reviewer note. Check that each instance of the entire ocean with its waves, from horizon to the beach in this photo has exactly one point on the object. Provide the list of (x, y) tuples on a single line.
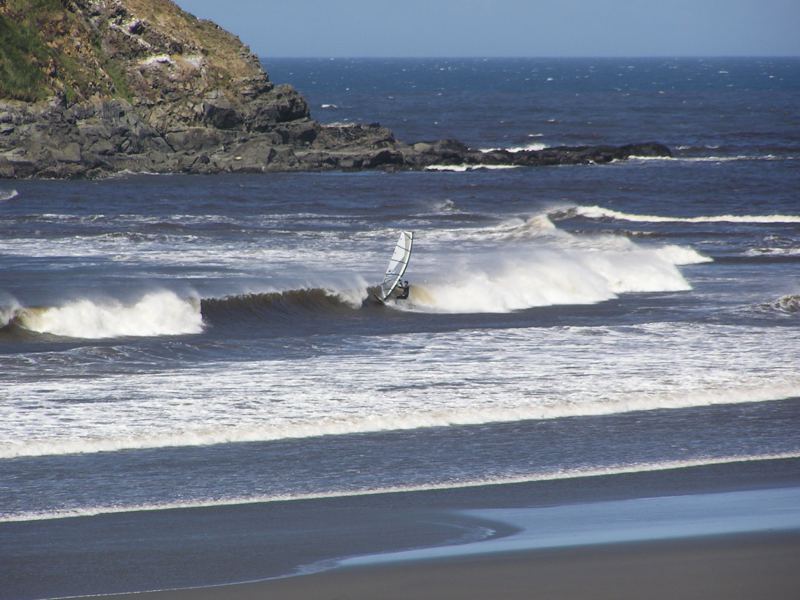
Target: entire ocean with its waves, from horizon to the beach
[(209, 341)]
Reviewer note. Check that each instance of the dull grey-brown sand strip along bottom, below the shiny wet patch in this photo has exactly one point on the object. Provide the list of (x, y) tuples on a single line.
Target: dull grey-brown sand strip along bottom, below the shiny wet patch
[(734, 567)]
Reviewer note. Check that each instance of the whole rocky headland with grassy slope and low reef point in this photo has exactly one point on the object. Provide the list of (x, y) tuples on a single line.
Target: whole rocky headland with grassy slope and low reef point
[(89, 88)]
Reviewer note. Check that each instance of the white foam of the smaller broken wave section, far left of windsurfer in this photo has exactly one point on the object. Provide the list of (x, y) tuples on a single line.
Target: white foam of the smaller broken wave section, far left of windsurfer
[(156, 313)]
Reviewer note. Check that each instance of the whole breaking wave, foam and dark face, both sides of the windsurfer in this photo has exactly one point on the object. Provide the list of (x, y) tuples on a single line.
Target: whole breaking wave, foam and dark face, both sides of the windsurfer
[(514, 264)]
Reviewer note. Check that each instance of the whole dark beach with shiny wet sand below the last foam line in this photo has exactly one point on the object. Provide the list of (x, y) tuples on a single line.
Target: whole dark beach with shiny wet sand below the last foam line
[(722, 531)]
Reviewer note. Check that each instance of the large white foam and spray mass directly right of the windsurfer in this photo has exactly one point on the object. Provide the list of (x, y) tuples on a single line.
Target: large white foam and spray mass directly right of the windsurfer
[(523, 262)]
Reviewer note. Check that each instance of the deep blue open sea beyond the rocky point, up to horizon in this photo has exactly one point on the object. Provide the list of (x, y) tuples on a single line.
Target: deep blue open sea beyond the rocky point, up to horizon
[(729, 105)]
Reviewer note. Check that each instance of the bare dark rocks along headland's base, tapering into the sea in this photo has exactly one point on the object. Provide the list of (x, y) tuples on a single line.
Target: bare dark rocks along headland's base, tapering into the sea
[(102, 137)]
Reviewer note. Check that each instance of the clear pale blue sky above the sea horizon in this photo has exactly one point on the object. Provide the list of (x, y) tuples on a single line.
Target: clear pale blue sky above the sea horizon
[(539, 28)]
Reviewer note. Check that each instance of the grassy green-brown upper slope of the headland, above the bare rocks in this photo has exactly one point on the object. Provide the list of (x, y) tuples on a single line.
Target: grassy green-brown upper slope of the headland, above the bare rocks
[(131, 49)]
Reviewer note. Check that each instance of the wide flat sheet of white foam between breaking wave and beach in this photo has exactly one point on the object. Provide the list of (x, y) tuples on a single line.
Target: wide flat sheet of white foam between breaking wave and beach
[(519, 374)]
